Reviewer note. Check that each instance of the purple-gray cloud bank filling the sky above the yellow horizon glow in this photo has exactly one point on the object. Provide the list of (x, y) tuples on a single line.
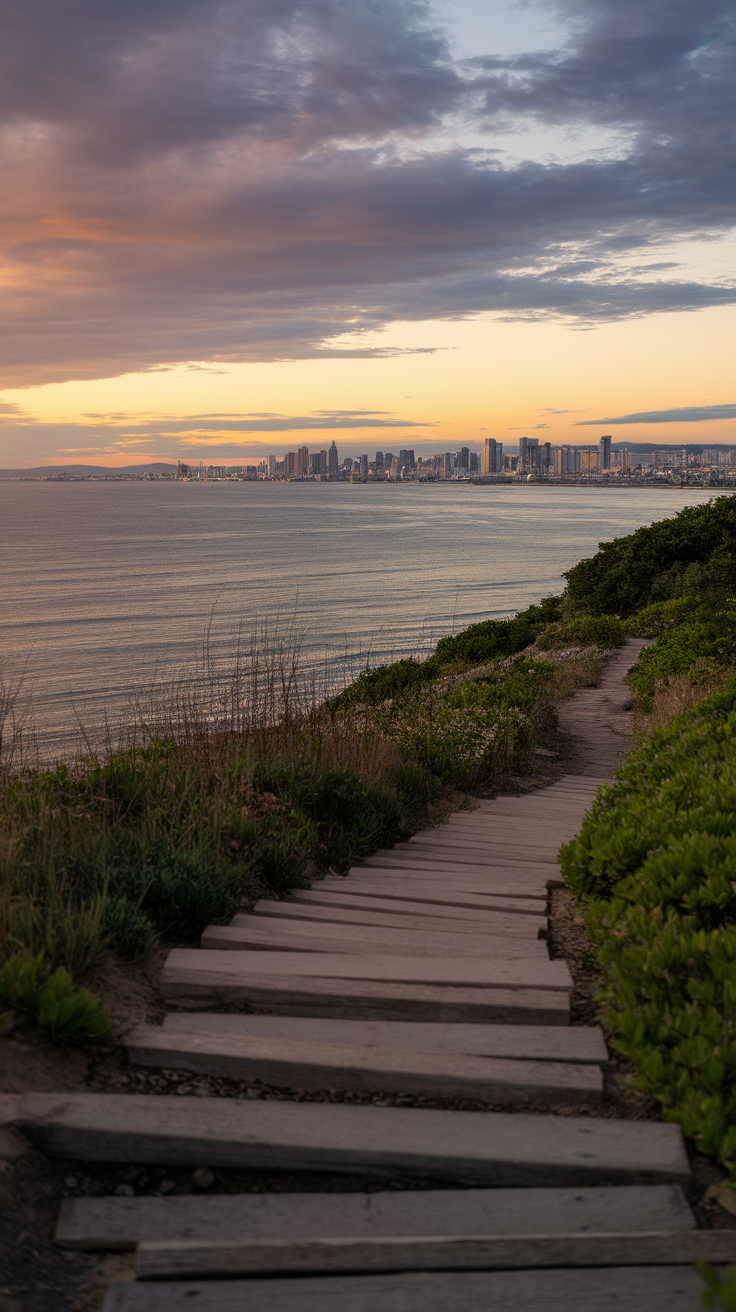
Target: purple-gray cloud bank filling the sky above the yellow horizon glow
[(242, 180)]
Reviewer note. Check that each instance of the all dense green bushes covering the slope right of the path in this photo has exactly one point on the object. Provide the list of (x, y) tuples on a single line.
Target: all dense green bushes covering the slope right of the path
[(655, 863)]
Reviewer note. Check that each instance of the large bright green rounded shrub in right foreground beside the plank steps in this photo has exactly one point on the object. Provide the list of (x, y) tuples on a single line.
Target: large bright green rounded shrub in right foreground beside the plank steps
[(655, 864)]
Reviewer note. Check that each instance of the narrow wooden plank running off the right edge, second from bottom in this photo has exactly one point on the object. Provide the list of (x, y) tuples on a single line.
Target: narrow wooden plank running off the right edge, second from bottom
[(183, 1260)]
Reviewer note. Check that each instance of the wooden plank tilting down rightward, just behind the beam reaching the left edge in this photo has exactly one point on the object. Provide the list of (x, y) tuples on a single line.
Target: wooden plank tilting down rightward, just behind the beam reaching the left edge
[(293, 1063)]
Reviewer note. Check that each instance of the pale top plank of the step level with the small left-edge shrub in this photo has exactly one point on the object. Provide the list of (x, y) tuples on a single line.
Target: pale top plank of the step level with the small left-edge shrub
[(448, 972)]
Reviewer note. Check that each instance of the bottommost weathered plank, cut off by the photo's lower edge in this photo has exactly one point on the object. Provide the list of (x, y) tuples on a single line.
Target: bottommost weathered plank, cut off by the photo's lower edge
[(634, 1289)]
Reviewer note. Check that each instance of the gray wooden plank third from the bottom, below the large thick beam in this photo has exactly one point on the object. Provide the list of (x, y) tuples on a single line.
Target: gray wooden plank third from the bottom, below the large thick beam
[(119, 1225)]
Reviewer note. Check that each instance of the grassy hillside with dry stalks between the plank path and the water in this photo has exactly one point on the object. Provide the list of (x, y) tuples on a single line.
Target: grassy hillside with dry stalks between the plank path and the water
[(196, 813)]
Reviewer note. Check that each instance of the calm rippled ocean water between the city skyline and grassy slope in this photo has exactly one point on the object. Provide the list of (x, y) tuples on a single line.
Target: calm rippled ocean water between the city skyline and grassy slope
[(108, 587)]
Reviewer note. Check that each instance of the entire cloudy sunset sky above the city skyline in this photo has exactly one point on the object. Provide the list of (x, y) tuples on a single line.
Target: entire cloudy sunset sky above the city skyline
[(235, 228)]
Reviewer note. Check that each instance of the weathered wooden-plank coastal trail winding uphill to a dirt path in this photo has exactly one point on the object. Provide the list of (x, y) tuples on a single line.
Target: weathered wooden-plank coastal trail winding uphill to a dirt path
[(402, 1028)]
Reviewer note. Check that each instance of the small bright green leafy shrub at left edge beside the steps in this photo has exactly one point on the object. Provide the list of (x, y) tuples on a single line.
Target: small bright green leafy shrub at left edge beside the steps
[(51, 1000)]
